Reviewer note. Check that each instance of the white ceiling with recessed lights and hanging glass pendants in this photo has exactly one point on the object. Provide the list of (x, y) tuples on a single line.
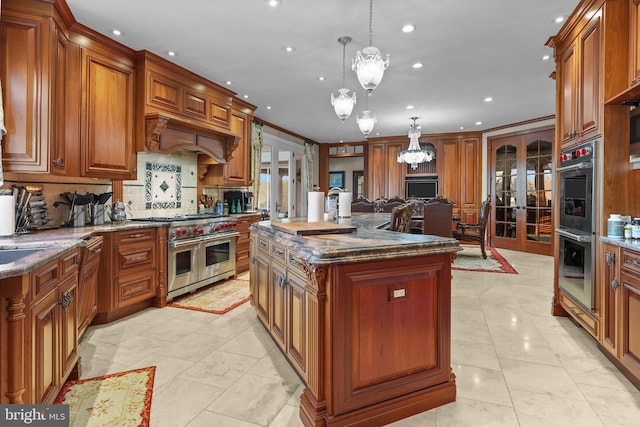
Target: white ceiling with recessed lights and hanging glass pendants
[(471, 49)]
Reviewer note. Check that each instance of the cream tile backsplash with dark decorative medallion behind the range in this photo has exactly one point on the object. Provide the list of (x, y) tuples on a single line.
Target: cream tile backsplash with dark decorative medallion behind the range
[(168, 186)]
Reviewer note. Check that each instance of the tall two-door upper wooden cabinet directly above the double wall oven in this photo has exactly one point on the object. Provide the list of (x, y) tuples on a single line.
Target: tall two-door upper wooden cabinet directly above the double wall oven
[(579, 73)]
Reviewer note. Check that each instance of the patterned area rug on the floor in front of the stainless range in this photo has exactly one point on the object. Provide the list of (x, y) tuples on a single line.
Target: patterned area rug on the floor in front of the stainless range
[(217, 298)]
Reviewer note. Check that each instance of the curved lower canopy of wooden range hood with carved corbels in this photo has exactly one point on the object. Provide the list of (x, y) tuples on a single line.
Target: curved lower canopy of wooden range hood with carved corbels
[(165, 135)]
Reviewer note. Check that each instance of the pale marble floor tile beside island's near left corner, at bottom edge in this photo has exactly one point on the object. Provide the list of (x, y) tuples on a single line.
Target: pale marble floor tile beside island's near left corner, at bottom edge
[(254, 399)]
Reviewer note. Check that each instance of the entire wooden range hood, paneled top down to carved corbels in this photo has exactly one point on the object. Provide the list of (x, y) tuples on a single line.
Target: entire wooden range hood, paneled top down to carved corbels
[(179, 110)]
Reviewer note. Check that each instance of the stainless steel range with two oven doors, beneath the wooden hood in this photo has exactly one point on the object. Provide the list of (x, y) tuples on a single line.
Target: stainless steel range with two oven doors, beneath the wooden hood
[(201, 250)]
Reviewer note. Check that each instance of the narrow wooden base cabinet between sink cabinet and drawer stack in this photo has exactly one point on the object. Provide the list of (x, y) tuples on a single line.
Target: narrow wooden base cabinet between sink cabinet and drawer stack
[(88, 283)]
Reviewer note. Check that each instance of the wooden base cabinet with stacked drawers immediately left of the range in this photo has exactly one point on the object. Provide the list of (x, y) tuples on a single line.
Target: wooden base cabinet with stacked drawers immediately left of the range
[(130, 272)]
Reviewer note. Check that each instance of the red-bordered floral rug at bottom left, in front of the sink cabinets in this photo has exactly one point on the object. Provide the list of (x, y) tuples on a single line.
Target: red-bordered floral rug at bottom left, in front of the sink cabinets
[(122, 399)]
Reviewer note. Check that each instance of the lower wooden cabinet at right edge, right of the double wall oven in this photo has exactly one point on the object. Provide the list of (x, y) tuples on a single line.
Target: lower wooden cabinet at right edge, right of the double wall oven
[(621, 325)]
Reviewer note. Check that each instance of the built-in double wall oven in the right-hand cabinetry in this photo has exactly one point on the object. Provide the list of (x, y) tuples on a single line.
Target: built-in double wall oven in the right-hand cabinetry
[(576, 174)]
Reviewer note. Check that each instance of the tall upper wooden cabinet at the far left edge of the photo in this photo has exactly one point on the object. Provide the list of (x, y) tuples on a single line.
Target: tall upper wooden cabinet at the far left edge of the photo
[(32, 71)]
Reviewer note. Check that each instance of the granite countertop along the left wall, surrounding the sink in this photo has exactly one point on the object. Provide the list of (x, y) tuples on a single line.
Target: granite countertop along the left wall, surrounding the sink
[(54, 242)]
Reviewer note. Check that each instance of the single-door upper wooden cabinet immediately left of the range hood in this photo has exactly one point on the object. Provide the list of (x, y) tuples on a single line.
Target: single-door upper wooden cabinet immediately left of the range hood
[(107, 116)]
